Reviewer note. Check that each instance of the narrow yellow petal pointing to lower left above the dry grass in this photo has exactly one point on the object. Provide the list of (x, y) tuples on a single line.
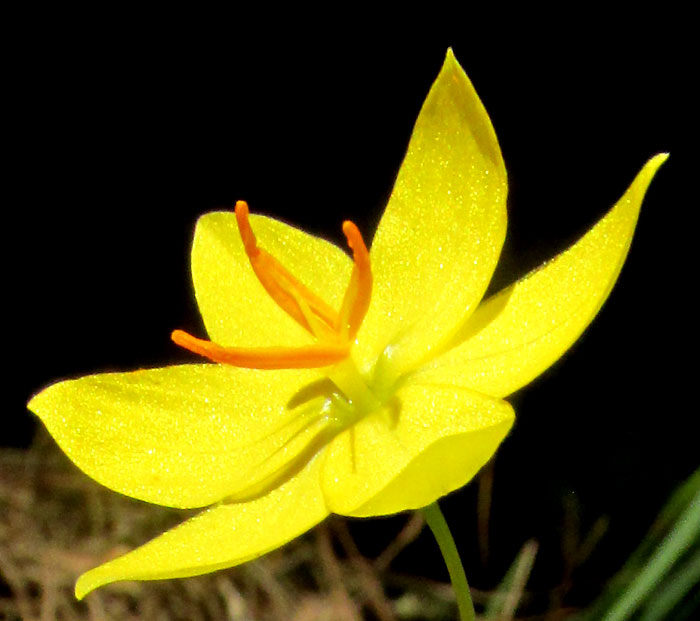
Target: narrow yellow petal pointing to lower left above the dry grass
[(224, 536)]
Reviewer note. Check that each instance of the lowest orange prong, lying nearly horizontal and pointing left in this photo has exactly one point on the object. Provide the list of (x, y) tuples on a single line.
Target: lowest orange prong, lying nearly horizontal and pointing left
[(305, 357)]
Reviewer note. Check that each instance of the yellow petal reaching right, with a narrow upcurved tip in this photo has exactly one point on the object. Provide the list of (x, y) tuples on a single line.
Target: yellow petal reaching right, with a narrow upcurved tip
[(515, 335)]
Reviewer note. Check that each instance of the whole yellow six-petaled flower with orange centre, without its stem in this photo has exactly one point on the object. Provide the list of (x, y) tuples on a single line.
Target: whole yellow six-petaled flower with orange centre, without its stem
[(361, 399)]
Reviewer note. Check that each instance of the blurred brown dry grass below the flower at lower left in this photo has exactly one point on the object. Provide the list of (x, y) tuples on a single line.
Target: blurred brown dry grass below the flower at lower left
[(56, 523)]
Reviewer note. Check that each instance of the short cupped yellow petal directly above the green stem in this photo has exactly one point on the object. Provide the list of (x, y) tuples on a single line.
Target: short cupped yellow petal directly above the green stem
[(431, 440)]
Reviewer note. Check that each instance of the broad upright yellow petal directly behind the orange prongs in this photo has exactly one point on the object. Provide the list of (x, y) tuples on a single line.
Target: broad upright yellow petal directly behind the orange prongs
[(237, 311)]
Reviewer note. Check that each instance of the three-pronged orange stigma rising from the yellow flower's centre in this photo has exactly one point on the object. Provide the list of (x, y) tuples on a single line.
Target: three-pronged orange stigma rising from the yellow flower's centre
[(332, 330)]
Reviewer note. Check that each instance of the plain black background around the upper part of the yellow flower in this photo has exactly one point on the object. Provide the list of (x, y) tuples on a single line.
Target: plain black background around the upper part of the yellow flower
[(124, 131)]
